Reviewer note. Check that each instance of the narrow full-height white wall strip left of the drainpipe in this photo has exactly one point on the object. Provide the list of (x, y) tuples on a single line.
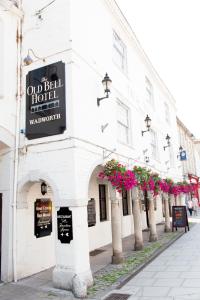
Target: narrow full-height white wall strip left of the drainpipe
[(8, 92)]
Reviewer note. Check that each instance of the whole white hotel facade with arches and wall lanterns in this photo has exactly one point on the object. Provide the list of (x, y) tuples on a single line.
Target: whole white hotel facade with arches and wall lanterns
[(90, 38)]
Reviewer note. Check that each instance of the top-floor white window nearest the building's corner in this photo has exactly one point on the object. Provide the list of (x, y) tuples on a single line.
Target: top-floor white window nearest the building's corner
[(119, 52)]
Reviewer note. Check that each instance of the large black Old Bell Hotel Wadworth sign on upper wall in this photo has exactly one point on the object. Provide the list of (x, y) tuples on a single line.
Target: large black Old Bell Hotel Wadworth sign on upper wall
[(45, 101)]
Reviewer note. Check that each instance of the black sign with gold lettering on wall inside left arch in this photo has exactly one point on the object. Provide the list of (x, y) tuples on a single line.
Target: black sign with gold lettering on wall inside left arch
[(43, 217)]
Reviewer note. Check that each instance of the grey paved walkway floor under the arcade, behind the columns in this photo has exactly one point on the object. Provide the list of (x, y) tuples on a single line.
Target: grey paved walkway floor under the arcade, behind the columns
[(40, 286)]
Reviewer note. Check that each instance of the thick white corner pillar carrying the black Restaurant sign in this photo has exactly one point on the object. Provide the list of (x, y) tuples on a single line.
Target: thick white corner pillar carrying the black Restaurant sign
[(72, 270)]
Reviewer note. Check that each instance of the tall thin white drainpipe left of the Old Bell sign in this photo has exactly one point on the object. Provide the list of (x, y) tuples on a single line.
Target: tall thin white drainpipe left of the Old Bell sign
[(17, 137)]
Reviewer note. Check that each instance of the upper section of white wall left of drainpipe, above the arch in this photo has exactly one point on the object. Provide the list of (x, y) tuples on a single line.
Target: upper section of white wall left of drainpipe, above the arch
[(8, 76)]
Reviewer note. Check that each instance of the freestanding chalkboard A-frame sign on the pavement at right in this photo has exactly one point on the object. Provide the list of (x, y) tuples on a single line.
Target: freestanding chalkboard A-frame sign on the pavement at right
[(179, 217)]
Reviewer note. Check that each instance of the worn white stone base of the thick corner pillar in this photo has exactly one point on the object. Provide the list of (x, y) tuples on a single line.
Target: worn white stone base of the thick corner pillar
[(67, 279)]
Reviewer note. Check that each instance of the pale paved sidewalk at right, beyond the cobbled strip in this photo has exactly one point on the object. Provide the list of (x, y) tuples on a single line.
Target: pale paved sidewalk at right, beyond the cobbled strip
[(173, 275)]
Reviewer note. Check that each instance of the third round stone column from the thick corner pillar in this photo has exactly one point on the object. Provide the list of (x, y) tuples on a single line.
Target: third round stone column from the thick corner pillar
[(152, 218)]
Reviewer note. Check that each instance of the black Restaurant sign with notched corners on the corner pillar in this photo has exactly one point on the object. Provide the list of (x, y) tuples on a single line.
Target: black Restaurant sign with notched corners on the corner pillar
[(64, 222)]
